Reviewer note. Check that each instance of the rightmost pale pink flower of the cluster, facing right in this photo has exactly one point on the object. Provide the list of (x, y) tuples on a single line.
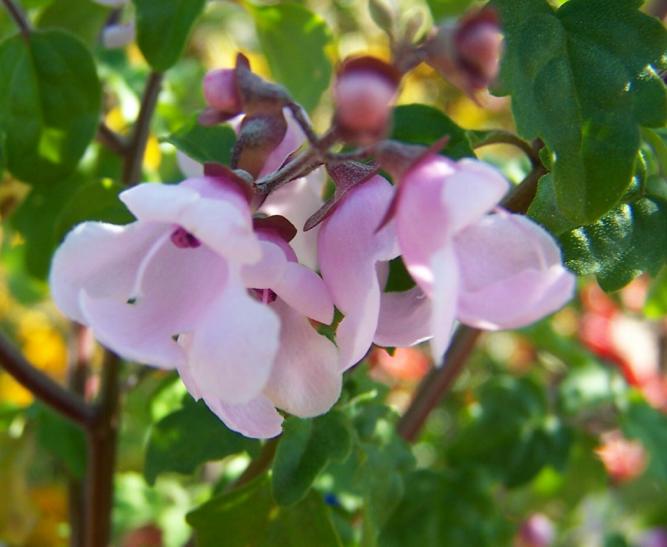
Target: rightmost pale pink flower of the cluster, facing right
[(491, 271)]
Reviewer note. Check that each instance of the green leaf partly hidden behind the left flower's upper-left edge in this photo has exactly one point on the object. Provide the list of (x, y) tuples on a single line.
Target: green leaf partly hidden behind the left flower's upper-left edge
[(94, 201)]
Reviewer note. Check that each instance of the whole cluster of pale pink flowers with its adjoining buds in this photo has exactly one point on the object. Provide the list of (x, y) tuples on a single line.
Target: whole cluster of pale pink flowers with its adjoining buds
[(229, 283)]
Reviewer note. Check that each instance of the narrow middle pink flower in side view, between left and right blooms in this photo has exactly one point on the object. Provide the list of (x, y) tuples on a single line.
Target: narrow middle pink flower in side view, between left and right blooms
[(353, 258)]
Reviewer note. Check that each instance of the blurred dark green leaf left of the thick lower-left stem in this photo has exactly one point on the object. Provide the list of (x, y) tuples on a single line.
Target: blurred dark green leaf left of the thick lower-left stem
[(65, 440)]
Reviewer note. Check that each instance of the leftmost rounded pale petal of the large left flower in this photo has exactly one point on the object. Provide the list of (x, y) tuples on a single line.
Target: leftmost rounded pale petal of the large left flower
[(102, 259)]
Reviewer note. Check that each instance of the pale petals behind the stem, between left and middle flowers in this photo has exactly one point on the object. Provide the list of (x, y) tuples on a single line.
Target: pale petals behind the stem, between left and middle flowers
[(297, 201)]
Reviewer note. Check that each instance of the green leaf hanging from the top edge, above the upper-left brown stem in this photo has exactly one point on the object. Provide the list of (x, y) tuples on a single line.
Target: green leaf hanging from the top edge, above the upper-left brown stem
[(163, 27)]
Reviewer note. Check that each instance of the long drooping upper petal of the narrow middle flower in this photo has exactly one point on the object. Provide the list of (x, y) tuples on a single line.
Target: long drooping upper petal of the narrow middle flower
[(349, 248)]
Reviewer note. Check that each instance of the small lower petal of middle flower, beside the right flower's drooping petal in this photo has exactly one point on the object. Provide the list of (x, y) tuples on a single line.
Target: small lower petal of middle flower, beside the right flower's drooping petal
[(404, 319)]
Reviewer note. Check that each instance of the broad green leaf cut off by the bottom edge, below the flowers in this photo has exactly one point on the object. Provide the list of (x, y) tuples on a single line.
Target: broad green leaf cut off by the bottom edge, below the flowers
[(248, 516)]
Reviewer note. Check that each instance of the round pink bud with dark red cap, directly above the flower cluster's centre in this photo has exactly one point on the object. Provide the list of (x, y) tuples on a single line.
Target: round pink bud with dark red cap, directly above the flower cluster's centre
[(364, 93)]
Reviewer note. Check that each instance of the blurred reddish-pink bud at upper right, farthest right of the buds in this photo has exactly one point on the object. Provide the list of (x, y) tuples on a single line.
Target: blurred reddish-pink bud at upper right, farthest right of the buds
[(467, 53)]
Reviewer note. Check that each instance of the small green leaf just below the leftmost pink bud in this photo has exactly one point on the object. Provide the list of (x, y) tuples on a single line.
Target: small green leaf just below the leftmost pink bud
[(205, 144)]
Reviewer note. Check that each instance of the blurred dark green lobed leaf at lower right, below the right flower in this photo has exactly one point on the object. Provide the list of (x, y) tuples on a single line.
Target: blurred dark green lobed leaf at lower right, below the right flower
[(511, 432)]
